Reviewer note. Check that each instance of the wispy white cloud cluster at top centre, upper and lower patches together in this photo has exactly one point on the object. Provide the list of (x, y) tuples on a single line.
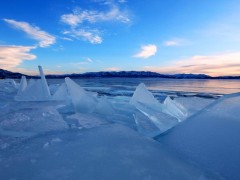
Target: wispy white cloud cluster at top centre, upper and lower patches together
[(84, 23)]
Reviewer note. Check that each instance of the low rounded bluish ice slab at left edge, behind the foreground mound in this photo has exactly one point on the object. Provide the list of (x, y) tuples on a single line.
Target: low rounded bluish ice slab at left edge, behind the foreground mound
[(32, 120)]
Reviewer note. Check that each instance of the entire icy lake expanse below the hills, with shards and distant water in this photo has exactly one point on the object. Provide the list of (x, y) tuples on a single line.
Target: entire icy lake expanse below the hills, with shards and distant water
[(106, 128)]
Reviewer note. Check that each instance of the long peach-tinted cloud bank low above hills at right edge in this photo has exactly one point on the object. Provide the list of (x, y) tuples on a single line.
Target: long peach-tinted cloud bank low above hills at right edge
[(214, 65)]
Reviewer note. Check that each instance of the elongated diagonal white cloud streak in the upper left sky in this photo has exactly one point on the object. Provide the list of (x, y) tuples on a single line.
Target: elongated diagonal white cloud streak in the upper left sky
[(33, 32)]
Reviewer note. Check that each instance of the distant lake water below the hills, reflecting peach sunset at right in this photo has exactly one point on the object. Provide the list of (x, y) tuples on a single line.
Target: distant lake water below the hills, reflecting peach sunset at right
[(220, 86)]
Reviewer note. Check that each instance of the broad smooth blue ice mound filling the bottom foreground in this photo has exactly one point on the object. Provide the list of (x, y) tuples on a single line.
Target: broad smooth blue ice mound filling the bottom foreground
[(106, 152)]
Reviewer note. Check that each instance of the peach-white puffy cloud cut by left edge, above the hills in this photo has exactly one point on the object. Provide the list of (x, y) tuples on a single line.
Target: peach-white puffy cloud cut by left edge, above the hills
[(12, 56)]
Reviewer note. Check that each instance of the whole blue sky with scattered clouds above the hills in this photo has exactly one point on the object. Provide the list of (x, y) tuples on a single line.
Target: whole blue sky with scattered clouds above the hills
[(77, 36)]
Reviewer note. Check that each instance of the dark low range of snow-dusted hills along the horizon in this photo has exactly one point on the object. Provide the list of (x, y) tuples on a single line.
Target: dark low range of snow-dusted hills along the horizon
[(119, 74)]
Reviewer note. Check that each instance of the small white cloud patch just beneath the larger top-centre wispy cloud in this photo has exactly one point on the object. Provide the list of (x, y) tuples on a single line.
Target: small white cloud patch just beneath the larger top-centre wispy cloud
[(91, 35)]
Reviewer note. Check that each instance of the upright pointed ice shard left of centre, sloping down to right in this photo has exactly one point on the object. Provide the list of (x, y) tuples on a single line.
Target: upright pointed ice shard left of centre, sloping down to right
[(82, 101)]
